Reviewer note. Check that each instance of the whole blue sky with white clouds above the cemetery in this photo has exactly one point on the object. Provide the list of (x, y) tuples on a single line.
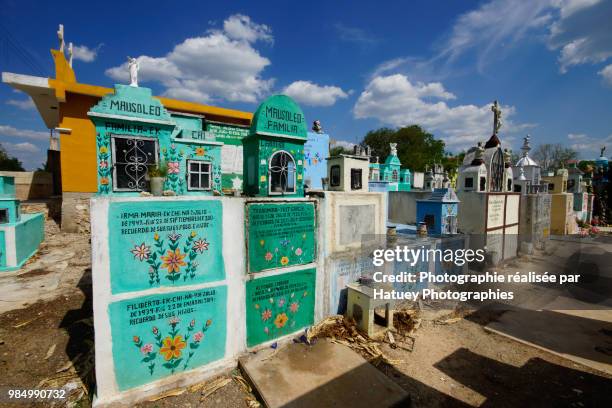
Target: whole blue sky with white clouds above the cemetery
[(353, 65)]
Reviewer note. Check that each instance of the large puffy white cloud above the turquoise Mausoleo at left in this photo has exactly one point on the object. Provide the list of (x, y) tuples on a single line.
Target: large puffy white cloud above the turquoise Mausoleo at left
[(221, 64)]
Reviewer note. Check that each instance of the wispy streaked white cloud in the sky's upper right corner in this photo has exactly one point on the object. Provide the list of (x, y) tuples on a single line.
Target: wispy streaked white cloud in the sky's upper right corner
[(579, 30)]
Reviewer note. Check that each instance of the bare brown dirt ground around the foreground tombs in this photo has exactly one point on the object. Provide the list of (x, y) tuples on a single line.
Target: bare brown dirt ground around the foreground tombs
[(46, 341)]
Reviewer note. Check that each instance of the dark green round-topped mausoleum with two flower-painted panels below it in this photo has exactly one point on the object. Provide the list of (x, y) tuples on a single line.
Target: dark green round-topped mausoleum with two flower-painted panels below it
[(281, 233)]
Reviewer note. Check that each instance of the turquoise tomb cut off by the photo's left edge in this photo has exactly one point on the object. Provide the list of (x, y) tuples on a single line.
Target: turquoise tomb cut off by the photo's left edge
[(20, 234)]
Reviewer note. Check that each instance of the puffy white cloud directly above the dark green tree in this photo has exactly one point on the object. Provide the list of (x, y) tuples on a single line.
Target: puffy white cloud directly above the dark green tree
[(395, 101)]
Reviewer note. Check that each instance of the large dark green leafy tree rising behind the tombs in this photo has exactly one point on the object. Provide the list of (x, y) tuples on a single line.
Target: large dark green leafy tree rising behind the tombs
[(415, 147)]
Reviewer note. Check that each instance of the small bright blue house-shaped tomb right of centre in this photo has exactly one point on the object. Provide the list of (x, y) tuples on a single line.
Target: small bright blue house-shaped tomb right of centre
[(439, 212)]
